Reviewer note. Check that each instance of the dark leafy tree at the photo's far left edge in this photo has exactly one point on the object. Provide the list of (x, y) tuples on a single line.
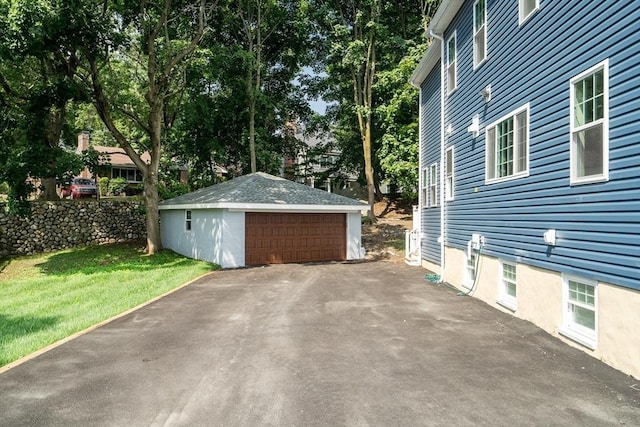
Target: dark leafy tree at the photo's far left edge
[(39, 42)]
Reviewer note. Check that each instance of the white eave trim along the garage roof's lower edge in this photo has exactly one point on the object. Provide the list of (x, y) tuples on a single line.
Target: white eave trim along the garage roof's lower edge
[(267, 207)]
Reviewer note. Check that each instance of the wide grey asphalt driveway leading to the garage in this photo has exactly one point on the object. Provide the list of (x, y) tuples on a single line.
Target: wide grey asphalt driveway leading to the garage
[(305, 345)]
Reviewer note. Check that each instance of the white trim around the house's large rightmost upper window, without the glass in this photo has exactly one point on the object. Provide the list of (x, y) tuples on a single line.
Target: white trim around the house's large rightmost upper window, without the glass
[(574, 179)]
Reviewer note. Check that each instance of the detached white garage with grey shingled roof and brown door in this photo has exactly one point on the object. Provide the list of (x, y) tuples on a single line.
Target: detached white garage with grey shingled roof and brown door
[(261, 219)]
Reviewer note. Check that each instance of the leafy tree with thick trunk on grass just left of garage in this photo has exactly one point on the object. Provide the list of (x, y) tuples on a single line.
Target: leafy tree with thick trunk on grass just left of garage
[(136, 74)]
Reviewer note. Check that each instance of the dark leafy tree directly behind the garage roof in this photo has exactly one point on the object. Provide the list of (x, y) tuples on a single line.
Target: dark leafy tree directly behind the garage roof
[(241, 98)]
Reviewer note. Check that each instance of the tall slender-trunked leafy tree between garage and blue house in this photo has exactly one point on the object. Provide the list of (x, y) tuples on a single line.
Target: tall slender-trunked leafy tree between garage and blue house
[(364, 40)]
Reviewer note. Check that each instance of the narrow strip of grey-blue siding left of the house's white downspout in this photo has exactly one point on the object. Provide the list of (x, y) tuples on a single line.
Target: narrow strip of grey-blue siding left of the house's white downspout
[(430, 123)]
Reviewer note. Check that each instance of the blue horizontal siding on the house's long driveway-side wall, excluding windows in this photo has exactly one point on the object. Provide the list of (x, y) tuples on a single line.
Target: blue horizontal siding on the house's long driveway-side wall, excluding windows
[(598, 224)]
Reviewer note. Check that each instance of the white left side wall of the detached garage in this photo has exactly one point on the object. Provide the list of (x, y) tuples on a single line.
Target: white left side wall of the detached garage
[(202, 242)]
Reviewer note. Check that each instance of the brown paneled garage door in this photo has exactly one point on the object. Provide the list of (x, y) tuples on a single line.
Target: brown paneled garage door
[(276, 238)]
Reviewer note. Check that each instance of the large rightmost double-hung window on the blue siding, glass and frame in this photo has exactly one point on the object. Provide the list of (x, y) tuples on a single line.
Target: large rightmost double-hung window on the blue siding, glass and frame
[(590, 125)]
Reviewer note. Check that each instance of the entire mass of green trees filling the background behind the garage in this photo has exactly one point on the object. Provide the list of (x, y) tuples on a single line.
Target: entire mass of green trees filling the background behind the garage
[(207, 84)]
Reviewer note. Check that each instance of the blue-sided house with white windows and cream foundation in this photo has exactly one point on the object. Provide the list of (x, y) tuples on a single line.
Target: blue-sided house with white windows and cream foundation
[(530, 164)]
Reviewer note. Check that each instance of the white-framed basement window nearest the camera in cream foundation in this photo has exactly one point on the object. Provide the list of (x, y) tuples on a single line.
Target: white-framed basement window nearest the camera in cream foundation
[(580, 310)]
